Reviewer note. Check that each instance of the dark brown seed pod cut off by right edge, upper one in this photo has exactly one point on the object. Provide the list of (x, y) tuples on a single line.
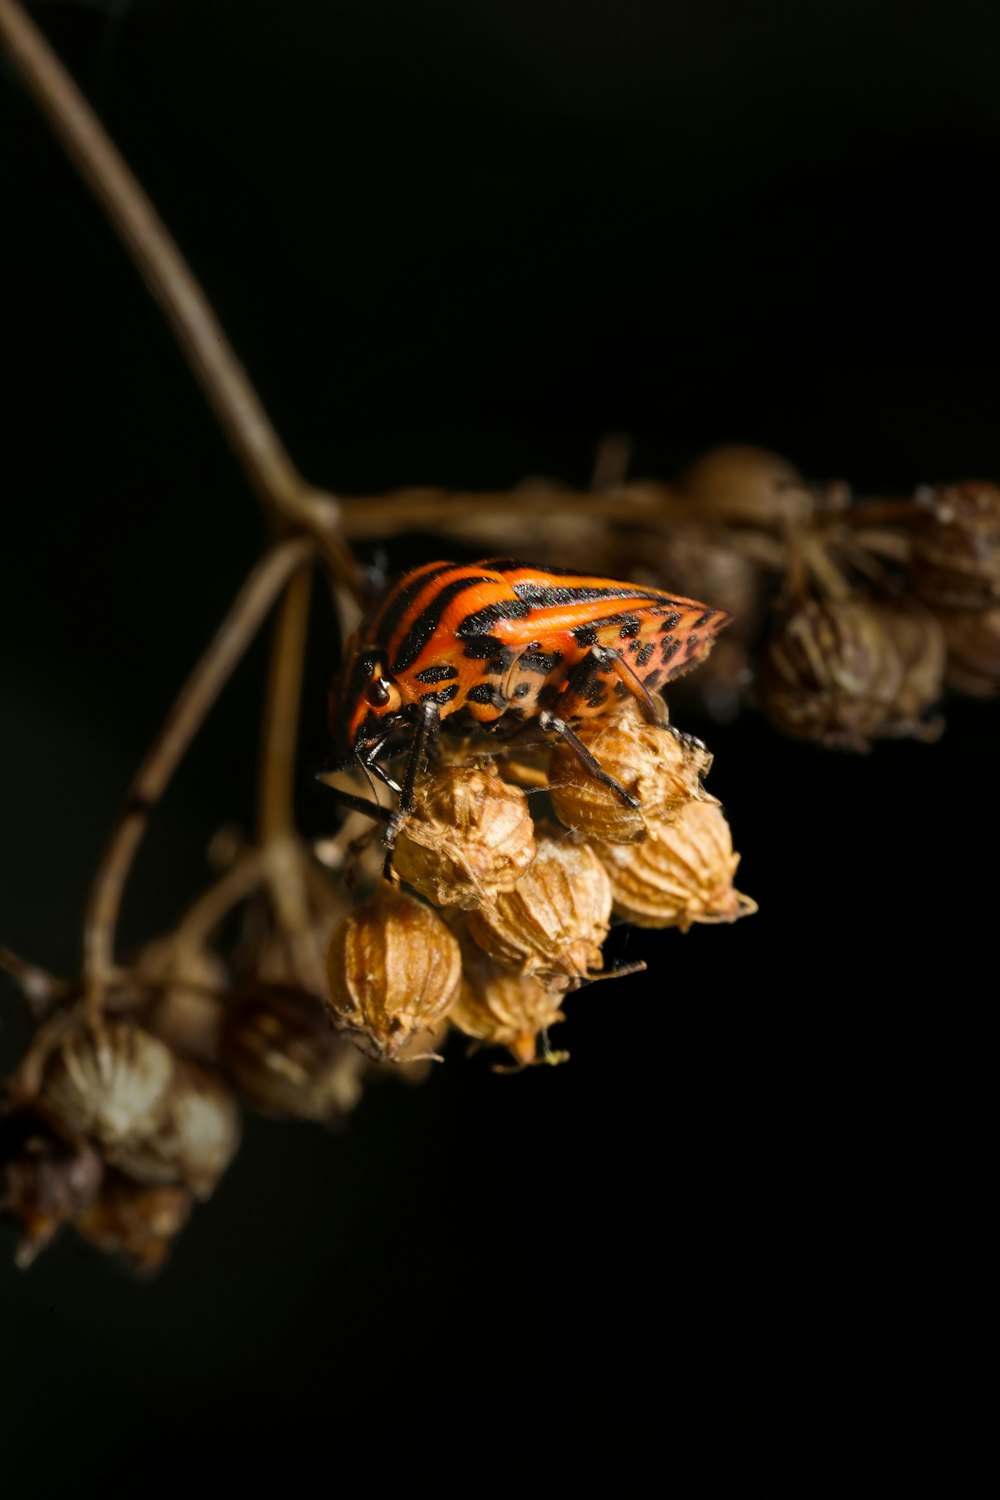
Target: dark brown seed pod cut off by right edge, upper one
[(956, 550)]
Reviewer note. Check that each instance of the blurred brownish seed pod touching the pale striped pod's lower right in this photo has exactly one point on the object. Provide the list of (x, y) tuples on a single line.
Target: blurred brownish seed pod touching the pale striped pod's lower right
[(196, 1141)]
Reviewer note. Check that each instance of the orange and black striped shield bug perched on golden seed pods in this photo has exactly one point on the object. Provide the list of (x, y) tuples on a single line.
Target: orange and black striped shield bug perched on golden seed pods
[(499, 646)]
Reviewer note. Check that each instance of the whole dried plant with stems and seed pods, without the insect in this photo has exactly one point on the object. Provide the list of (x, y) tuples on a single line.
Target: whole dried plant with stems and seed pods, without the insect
[(304, 973)]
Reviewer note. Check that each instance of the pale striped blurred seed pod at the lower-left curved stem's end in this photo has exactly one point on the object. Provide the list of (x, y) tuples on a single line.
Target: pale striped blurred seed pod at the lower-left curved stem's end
[(112, 1087)]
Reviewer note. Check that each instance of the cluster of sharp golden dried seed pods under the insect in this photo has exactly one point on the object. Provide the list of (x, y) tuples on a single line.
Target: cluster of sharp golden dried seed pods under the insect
[(503, 905)]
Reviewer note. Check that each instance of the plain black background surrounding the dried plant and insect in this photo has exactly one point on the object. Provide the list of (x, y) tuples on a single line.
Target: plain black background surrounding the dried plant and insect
[(741, 1244)]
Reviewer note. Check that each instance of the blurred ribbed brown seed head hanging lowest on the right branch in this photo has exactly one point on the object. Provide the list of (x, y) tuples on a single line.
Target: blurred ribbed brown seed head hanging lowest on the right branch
[(845, 673)]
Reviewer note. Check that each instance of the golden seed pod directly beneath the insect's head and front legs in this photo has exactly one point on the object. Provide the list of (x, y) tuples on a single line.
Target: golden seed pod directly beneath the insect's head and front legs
[(469, 838)]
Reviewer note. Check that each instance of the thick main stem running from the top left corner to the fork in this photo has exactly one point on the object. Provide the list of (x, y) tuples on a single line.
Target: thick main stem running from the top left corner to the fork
[(278, 484)]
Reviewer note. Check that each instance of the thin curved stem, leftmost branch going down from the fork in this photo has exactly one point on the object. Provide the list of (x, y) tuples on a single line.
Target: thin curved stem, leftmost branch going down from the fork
[(151, 781)]
